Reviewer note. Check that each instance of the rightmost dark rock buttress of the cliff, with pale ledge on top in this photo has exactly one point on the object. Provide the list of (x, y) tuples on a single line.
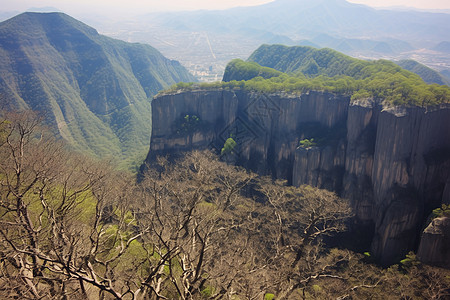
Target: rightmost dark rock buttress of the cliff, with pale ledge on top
[(410, 170)]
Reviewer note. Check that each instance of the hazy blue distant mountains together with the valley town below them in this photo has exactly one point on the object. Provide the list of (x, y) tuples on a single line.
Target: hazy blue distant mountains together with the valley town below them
[(204, 39)]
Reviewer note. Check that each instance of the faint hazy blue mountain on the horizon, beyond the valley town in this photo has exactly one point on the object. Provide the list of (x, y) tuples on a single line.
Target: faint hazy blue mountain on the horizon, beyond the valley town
[(338, 18)]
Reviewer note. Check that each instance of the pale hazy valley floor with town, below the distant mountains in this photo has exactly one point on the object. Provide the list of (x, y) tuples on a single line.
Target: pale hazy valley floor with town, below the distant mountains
[(197, 58)]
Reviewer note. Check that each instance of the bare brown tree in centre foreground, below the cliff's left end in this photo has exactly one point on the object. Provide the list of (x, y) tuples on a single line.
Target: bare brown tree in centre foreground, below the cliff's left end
[(188, 208)]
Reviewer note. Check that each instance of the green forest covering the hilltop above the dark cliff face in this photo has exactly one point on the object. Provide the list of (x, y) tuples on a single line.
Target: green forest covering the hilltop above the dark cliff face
[(278, 68)]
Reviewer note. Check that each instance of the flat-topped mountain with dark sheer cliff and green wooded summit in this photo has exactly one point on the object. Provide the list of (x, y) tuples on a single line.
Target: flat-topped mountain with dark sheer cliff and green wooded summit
[(392, 162)]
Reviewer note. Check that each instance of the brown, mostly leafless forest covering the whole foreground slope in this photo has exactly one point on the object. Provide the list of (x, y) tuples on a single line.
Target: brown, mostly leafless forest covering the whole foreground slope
[(72, 228)]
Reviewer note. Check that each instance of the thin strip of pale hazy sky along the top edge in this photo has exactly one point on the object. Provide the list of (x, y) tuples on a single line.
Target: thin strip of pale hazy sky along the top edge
[(158, 5)]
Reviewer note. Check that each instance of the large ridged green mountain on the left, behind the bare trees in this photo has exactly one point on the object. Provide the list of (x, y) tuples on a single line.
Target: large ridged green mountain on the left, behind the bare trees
[(94, 91)]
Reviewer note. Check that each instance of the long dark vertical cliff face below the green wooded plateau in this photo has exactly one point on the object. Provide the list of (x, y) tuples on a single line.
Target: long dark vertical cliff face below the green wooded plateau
[(392, 164)]
